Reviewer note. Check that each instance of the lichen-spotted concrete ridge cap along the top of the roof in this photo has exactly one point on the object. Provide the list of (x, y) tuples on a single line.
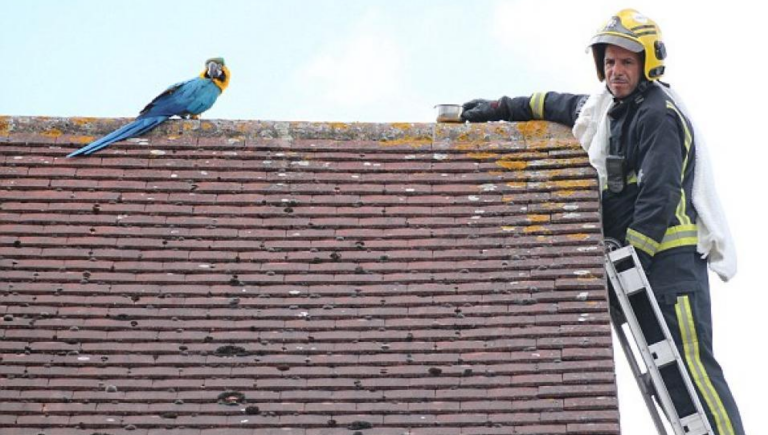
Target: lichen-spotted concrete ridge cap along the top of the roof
[(395, 132)]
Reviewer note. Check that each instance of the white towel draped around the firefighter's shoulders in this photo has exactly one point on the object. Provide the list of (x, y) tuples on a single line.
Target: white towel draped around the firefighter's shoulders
[(716, 244)]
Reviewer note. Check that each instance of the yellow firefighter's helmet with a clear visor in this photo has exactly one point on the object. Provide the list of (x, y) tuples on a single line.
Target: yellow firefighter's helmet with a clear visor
[(635, 32)]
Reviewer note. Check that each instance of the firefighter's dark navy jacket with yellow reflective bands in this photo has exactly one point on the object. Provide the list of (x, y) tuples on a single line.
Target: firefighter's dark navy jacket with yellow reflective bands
[(653, 211)]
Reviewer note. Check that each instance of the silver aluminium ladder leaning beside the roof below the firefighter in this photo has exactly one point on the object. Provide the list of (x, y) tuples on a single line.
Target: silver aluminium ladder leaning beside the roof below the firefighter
[(632, 290)]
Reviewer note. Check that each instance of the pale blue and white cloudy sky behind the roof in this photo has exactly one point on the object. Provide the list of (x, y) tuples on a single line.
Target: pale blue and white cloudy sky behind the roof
[(393, 60)]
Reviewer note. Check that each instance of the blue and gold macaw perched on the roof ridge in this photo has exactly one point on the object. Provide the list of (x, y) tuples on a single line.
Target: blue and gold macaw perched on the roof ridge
[(186, 99)]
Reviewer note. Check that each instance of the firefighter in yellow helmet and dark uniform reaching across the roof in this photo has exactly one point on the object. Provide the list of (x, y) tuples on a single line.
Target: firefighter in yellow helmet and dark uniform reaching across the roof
[(644, 149)]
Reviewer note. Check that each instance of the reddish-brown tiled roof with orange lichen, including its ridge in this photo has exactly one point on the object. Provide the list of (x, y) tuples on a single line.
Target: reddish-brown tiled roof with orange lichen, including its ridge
[(247, 277)]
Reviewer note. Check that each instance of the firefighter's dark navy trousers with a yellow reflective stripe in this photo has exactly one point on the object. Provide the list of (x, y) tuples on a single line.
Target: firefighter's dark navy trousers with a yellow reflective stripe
[(680, 283)]
